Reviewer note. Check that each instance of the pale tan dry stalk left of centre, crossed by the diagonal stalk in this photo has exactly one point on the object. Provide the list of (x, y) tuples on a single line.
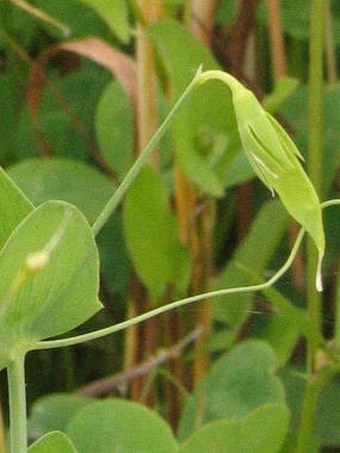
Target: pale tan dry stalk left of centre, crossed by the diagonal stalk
[(142, 341)]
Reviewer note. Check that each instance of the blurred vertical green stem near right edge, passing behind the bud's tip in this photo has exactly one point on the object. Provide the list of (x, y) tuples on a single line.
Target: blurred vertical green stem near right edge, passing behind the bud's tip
[(314, 166)]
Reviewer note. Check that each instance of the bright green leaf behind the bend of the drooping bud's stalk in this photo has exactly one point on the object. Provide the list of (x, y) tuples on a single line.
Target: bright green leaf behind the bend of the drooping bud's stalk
[(204, 134)]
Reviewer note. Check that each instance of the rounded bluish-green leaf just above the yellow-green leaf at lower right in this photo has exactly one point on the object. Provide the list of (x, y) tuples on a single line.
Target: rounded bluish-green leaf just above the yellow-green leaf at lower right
[(237, 384)]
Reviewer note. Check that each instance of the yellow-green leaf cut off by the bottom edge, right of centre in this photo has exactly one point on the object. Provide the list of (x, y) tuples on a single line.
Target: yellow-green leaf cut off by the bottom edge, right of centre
[(262, 431)]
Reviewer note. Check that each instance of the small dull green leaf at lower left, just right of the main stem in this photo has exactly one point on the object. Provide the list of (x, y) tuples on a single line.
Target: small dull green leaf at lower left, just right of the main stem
[(54, 412)]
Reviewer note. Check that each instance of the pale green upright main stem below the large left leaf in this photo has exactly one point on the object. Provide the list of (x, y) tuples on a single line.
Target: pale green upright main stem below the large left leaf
[(17, 404)]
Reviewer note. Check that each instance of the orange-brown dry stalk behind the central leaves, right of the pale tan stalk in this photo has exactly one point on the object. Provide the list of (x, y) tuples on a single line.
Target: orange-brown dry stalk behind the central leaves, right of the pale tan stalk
[(196, 224)]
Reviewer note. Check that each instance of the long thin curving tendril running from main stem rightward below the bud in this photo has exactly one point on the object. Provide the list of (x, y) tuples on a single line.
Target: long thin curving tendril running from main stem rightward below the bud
[(163, 309)]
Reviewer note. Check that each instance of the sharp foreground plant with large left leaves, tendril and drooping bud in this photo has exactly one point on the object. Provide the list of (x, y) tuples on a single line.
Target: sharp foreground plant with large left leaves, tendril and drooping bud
[(46, 250)]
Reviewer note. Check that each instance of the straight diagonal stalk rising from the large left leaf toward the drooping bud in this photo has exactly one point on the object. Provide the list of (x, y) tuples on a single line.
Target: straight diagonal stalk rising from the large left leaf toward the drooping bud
[(141, 160)]
